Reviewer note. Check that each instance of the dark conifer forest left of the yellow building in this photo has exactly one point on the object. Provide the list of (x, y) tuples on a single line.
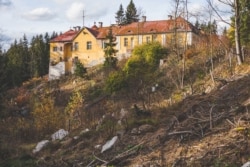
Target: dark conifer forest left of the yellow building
[(24, 60)]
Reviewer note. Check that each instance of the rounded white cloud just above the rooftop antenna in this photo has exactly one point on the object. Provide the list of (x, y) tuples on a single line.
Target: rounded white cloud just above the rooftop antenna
[(75, 11)]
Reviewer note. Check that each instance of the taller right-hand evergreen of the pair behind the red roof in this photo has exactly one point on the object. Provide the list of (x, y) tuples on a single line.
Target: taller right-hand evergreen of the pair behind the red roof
[(131, 13)]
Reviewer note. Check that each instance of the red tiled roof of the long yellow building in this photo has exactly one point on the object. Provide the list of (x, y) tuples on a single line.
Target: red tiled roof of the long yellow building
[(145, 27)]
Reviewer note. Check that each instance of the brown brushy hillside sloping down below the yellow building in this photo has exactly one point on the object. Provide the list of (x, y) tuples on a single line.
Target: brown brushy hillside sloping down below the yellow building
[(208, 128)]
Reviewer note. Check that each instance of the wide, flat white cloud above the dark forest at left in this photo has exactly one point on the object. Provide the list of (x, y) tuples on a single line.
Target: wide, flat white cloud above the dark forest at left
[(39, 14)]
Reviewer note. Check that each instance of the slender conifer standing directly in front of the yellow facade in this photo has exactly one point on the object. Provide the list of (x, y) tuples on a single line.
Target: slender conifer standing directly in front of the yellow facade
[(110, 51)]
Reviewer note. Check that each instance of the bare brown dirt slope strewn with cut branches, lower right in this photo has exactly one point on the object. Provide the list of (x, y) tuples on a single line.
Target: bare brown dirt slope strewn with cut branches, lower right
[(203, 130)]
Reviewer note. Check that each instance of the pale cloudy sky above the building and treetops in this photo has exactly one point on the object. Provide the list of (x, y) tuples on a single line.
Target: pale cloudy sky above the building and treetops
[(33, 17)]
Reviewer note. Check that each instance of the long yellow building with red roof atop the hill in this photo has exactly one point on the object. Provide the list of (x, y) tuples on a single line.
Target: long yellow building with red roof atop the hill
[(87, 44)]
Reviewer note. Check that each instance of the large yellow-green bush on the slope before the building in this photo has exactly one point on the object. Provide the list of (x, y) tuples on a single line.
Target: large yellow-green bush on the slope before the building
[(140, 69)]
